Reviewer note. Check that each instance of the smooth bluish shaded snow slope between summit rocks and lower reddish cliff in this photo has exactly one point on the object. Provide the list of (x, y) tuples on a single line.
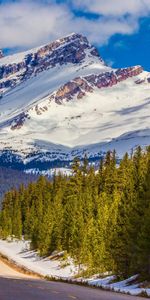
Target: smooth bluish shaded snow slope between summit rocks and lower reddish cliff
[(42, 85)]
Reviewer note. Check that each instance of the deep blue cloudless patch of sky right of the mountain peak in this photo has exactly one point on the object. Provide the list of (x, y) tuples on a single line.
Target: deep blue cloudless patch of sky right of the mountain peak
[(125, 50)]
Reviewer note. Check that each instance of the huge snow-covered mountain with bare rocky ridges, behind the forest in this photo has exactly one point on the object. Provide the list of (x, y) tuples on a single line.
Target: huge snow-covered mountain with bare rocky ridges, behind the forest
[(61, 100)]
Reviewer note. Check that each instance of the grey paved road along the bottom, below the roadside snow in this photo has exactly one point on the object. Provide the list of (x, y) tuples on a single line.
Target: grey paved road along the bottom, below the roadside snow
[(20, 289)]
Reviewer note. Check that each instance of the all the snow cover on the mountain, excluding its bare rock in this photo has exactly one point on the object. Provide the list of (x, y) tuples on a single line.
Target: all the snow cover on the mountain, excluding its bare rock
[(105, 118)]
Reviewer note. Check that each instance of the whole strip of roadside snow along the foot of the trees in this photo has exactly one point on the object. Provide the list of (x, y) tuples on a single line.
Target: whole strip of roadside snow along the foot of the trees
[(18, 252)]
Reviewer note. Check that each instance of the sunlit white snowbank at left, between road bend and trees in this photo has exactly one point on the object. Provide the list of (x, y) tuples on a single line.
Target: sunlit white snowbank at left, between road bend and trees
[(18, 251)]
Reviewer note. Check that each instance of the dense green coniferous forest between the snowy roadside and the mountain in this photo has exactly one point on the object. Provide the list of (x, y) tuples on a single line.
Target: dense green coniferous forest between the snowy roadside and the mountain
[(102, 219)]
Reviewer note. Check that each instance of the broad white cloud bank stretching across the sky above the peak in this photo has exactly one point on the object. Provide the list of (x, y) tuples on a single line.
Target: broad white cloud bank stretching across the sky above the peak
[(29, 23)]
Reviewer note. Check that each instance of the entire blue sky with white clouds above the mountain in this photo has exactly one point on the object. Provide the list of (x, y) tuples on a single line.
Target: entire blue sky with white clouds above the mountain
[(120, 29)]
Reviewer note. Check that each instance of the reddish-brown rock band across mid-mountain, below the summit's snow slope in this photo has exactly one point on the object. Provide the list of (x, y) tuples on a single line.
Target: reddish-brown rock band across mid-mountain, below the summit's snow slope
[(78, 88)]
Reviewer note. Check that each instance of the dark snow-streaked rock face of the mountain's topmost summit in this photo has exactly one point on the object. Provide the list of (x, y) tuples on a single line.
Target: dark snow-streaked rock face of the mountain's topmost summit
[(71, 49)]
